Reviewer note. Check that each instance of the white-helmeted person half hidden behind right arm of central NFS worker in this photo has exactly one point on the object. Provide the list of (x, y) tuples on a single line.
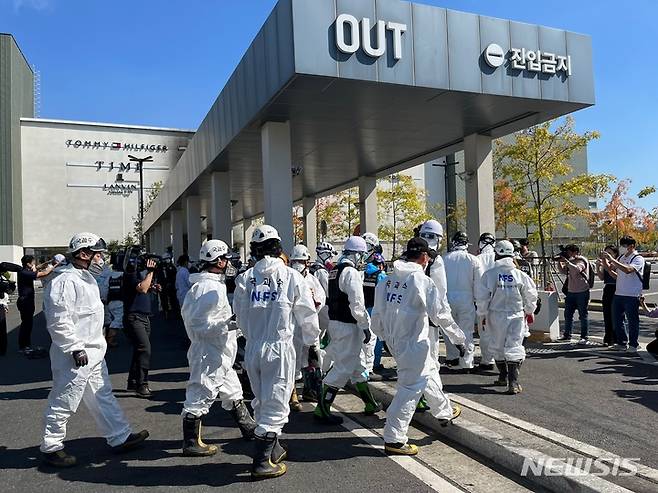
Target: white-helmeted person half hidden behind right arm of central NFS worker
[(309, 357)]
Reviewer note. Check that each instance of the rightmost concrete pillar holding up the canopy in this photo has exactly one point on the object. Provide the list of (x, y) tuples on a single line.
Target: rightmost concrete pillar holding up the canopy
[(478, 160)]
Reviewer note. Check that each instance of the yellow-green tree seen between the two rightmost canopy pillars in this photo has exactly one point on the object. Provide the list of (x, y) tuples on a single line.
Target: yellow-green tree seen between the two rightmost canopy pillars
[(401, 207)]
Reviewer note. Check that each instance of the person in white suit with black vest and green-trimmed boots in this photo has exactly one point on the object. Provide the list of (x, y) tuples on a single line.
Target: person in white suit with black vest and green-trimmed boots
[(349, 329)]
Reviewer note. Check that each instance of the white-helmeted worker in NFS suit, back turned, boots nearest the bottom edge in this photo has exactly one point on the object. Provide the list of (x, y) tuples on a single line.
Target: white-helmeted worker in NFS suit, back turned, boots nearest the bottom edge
[(267, 298)]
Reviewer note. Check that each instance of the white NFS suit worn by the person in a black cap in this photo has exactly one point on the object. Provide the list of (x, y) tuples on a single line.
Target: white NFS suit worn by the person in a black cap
[(403, 303)]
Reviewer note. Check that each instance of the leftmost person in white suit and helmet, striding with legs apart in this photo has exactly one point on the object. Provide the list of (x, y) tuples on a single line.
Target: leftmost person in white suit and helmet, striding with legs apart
[(74, 318)]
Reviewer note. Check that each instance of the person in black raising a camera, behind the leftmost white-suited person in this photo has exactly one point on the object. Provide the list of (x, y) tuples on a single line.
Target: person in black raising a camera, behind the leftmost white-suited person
[(137, 325)]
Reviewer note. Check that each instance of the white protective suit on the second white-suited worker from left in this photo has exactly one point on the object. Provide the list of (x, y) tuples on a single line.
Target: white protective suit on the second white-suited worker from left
[(206, 314)]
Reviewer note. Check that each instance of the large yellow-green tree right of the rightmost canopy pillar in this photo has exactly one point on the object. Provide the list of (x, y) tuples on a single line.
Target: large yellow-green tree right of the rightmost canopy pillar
[(536, 163)]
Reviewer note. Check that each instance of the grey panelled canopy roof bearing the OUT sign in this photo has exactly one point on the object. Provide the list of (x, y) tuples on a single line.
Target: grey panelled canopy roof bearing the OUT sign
[(357, 115)]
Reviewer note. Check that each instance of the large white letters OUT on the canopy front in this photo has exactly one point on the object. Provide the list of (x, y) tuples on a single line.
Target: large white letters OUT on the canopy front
[(352, 35)]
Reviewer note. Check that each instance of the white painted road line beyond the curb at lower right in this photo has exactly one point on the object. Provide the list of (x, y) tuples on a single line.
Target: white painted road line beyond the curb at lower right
[(644, 472)]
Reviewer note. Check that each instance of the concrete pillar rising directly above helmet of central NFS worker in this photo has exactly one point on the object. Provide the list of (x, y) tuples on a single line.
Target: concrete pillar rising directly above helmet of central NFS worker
[(277, 179)]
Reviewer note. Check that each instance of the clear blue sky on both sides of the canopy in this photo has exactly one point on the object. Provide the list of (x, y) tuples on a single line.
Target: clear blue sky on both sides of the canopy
[(164, 62)]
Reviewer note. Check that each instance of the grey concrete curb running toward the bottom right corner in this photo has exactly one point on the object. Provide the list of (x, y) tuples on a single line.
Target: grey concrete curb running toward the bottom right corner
[(507, 452)]
